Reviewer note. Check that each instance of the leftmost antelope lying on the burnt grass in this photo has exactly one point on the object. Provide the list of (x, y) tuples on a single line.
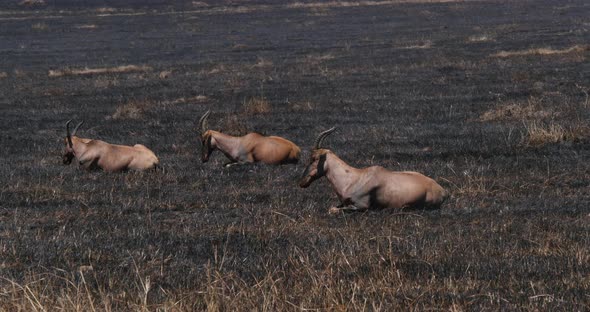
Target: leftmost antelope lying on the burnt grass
[(94, 154)]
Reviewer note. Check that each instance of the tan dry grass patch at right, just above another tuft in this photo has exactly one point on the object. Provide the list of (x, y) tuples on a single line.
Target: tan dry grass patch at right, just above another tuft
[(517, 111)]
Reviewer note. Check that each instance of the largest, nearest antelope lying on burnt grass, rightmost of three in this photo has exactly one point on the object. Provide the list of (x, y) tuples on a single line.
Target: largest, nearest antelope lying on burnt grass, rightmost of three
[(372, 187)]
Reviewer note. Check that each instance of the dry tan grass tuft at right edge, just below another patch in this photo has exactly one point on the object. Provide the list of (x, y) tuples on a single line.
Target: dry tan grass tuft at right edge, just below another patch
[(538, 134)]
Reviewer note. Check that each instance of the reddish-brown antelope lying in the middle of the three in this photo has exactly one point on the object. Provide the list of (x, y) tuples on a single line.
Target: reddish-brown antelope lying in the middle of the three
[(251, 148)]
